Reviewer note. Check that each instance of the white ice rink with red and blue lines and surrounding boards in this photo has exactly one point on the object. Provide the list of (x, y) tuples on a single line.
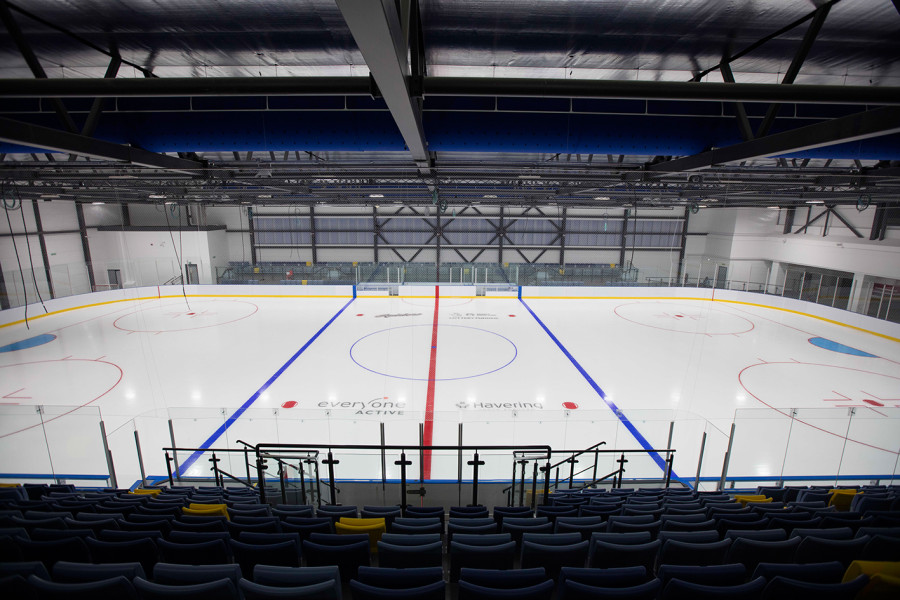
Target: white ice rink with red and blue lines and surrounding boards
[(811, 390)]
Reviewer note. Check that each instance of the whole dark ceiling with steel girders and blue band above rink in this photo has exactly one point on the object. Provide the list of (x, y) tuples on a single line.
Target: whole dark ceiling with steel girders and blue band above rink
[(541, 102)]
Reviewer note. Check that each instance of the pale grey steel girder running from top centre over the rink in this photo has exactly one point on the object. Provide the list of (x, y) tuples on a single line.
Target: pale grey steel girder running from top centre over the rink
[(375, 25)]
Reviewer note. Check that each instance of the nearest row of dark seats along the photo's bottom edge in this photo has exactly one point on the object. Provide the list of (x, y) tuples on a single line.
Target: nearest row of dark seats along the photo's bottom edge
[(768, 581)]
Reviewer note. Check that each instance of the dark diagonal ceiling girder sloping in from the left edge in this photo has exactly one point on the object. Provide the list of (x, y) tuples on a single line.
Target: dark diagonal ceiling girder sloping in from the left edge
[(26, 134)]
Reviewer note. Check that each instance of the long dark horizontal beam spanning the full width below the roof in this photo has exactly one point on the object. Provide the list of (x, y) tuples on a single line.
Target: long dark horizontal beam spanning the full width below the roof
[(451, 86)]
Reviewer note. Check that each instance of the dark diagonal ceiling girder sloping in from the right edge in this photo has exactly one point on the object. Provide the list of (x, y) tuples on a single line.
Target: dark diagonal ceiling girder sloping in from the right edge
[(858, 126)]
